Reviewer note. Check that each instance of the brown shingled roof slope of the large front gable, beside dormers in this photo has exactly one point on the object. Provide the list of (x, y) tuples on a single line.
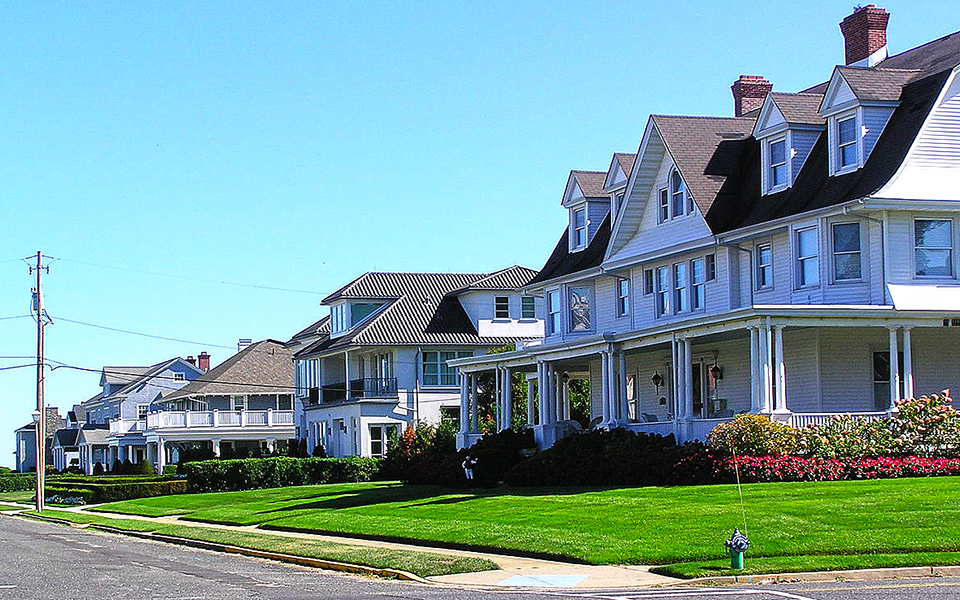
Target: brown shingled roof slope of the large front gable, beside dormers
[(696, 143)]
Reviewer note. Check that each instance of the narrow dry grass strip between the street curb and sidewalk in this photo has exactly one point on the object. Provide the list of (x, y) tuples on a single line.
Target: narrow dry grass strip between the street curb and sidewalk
[(424, 564)]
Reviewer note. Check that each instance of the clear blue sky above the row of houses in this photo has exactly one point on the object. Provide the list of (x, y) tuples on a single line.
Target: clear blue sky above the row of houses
[(299, 144)]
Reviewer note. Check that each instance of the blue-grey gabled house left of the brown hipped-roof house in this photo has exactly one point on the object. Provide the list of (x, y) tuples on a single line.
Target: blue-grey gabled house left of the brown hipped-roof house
[(122, 405)]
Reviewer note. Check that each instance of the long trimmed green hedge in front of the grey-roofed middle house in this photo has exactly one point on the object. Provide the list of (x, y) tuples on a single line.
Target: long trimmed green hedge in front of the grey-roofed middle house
[(258, 473)]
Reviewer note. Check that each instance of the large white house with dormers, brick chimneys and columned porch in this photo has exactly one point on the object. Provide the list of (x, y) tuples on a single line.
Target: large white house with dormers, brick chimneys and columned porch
[(797, 260)]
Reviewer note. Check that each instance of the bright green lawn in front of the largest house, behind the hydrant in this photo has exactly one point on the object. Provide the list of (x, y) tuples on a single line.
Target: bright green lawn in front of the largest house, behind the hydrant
[(625, 526)]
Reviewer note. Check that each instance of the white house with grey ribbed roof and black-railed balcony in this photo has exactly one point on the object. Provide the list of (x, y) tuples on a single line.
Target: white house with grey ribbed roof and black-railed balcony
[(379, 363)]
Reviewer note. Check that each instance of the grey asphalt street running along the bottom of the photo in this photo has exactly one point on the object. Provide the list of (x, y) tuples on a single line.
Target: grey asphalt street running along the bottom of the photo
[(52, 562)]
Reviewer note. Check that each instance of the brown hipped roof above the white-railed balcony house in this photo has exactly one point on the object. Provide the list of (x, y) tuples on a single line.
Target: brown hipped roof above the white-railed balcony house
[(264, 367)]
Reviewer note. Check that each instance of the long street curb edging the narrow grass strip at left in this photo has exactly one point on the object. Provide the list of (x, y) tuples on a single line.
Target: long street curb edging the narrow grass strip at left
[(265, 554)]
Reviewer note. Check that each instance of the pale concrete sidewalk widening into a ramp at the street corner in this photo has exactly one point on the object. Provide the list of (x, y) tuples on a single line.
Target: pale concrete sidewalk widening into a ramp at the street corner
[(514, 571)]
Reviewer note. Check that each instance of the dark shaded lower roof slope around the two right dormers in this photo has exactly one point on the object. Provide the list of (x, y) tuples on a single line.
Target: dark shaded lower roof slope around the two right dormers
[(739, 203)]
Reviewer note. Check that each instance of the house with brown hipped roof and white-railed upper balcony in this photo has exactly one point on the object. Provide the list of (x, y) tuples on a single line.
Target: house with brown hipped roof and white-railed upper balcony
[(244, 403)]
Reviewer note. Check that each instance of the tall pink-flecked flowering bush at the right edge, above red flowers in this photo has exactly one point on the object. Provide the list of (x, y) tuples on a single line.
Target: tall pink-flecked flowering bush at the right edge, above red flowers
[(928, 425)]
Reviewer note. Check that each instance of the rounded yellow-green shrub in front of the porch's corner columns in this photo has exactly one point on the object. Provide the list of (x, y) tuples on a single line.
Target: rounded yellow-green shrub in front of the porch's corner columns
[(753, 435)]
